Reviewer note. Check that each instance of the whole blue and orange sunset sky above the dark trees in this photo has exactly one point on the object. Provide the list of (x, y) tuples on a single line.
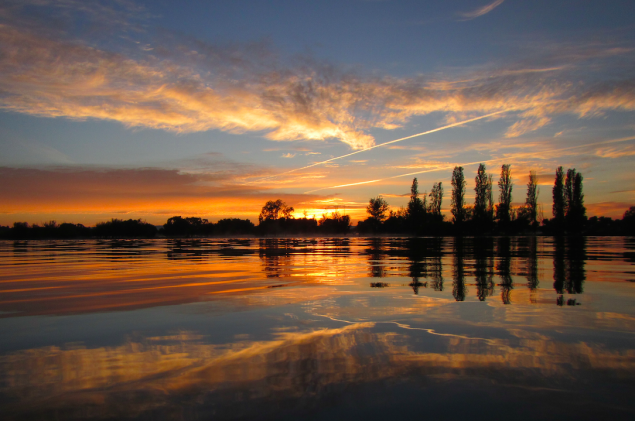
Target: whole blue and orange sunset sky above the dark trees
[(153, 109)]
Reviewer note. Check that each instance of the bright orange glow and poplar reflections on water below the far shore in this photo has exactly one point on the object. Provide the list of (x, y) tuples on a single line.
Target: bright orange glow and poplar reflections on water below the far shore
[(83, 276)]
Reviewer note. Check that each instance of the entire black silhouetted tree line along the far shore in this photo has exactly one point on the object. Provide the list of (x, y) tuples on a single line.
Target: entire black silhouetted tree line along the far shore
[(421, 217)]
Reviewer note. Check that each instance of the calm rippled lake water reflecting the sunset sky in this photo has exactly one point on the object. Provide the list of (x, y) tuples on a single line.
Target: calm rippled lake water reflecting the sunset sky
[(494, 328)]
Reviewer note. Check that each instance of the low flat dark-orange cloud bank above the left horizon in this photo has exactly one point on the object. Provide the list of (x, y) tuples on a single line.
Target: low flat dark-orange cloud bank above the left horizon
[(149, 192)]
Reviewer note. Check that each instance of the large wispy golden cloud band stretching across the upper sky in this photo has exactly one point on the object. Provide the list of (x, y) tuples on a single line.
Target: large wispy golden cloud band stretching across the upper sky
[(184, 85)]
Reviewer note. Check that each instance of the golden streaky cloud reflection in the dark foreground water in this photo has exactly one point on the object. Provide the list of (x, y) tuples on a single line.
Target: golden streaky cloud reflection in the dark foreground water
[(167, 372)]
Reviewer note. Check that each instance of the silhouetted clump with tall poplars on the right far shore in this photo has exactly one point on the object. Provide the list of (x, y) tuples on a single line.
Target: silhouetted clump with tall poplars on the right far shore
[(422, 215)]
